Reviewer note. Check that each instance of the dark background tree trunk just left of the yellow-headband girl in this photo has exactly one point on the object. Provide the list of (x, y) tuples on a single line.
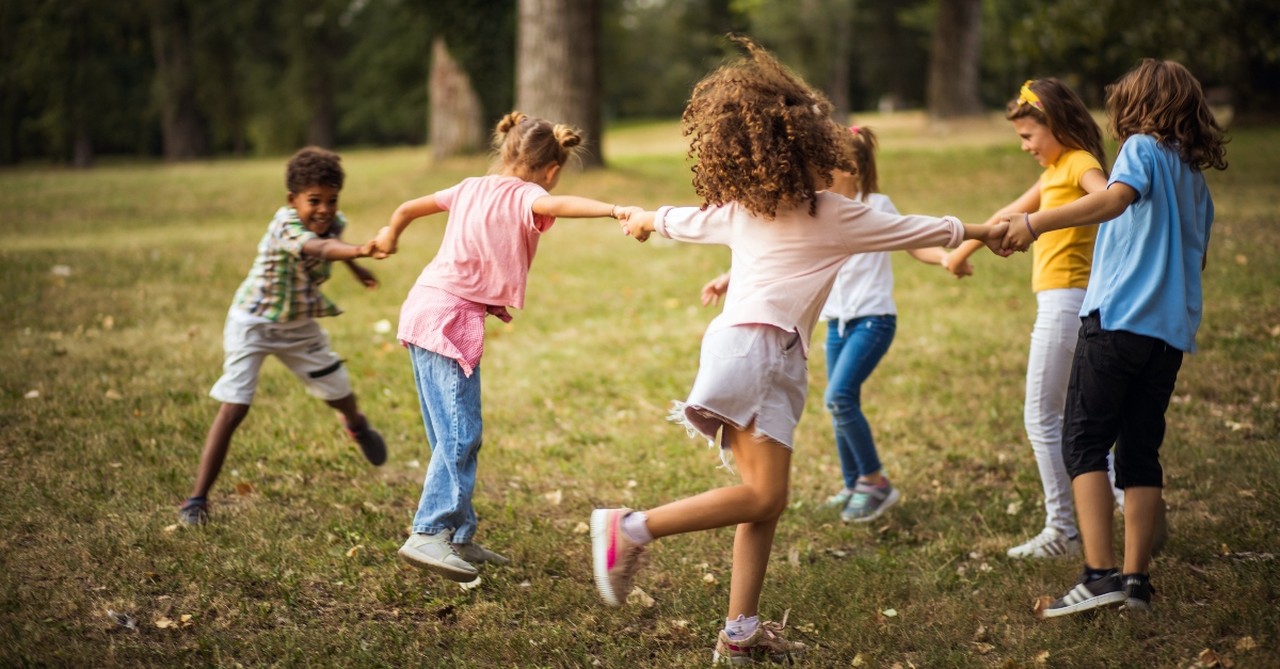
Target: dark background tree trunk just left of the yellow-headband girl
[(954, 63)]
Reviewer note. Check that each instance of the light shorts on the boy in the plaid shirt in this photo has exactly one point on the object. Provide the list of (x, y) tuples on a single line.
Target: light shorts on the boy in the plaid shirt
[(301, 346)]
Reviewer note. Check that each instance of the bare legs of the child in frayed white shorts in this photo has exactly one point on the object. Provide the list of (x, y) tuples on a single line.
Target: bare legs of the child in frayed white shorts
[(755, 507)]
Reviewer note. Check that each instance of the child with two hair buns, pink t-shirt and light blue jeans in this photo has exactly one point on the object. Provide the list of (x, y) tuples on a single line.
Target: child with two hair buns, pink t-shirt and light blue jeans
[(490, 244)]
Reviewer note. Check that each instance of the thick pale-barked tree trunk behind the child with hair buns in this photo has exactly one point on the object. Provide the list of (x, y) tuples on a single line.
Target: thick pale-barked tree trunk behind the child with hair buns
[(557, 67)]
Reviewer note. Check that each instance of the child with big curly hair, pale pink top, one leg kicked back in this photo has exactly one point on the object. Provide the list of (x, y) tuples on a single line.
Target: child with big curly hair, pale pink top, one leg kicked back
[(765, 145)]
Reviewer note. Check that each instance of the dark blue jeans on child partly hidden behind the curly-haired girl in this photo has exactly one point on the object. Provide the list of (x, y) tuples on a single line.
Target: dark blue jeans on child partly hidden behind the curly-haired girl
[(851, 360)]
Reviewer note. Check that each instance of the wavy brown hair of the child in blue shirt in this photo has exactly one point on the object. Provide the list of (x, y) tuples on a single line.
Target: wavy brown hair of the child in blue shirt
[(1164, 99)]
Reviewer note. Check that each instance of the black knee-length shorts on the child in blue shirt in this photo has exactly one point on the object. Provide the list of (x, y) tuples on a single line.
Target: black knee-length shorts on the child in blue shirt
[(1118, 395)]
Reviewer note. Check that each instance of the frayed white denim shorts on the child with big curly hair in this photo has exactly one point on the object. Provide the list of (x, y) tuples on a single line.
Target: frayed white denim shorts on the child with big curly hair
[(747, 374)]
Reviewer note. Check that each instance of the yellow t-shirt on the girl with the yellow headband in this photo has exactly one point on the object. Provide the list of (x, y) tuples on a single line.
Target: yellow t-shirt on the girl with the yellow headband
[(1062, 259)]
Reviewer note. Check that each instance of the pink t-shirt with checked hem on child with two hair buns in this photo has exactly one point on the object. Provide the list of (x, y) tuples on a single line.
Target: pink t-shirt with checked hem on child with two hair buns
[(484, 260)]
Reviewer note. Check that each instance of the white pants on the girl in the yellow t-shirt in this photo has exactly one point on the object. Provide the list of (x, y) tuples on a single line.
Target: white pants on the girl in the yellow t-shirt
[(1049, 368)]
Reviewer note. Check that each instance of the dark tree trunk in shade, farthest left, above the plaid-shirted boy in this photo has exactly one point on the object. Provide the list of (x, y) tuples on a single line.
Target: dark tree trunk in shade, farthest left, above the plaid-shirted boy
[(181, 125)]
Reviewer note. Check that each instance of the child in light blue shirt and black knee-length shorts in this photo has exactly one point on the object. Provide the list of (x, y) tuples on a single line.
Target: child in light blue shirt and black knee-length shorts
[(1141, 314)]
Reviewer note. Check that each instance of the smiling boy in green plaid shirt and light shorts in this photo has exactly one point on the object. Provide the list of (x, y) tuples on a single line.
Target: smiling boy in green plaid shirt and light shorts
[(276, 311)]
